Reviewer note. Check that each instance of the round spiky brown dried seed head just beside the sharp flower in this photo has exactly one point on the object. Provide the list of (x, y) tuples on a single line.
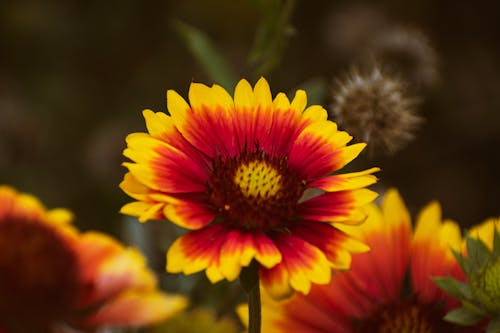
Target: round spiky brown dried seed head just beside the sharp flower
[(375, 109)]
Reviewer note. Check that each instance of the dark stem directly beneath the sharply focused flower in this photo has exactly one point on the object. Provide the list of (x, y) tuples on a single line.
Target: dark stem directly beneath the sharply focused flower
[(250, 282)]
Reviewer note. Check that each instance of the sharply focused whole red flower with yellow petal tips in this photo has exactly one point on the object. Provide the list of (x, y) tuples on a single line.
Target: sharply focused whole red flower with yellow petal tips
[(251, 177)]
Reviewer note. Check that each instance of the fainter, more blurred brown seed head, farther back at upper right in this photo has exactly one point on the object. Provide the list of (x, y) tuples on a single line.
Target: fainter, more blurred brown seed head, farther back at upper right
[(408, 53)]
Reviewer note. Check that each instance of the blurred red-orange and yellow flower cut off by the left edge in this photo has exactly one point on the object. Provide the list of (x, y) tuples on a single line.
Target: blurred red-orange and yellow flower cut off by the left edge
[(55, 278)]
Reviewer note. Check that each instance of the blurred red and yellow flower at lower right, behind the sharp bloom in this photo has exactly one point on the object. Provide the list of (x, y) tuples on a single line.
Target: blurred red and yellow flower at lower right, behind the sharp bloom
[(388, 289)]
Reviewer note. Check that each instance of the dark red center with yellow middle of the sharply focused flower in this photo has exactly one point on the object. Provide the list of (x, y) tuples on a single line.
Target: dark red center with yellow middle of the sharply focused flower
[(255, 191)]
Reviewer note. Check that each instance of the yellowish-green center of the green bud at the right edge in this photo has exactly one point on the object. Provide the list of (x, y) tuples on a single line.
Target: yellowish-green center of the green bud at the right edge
[(486, 287)]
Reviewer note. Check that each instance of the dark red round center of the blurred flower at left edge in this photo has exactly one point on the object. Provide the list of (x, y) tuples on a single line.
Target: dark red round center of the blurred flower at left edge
[(39, 278)]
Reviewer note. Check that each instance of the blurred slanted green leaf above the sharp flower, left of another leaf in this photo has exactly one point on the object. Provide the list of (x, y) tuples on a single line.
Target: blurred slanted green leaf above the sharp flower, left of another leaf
[(202, 48)]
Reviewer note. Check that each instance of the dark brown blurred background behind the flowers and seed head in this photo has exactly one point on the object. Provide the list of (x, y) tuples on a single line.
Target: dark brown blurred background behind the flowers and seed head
[(75, 76)]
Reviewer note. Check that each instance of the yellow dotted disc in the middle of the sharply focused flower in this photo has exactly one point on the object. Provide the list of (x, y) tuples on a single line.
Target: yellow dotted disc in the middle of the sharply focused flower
[(258, 179)]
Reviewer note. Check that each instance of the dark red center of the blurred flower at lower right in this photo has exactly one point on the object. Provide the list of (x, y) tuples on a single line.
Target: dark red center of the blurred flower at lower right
[(407, 316)]
